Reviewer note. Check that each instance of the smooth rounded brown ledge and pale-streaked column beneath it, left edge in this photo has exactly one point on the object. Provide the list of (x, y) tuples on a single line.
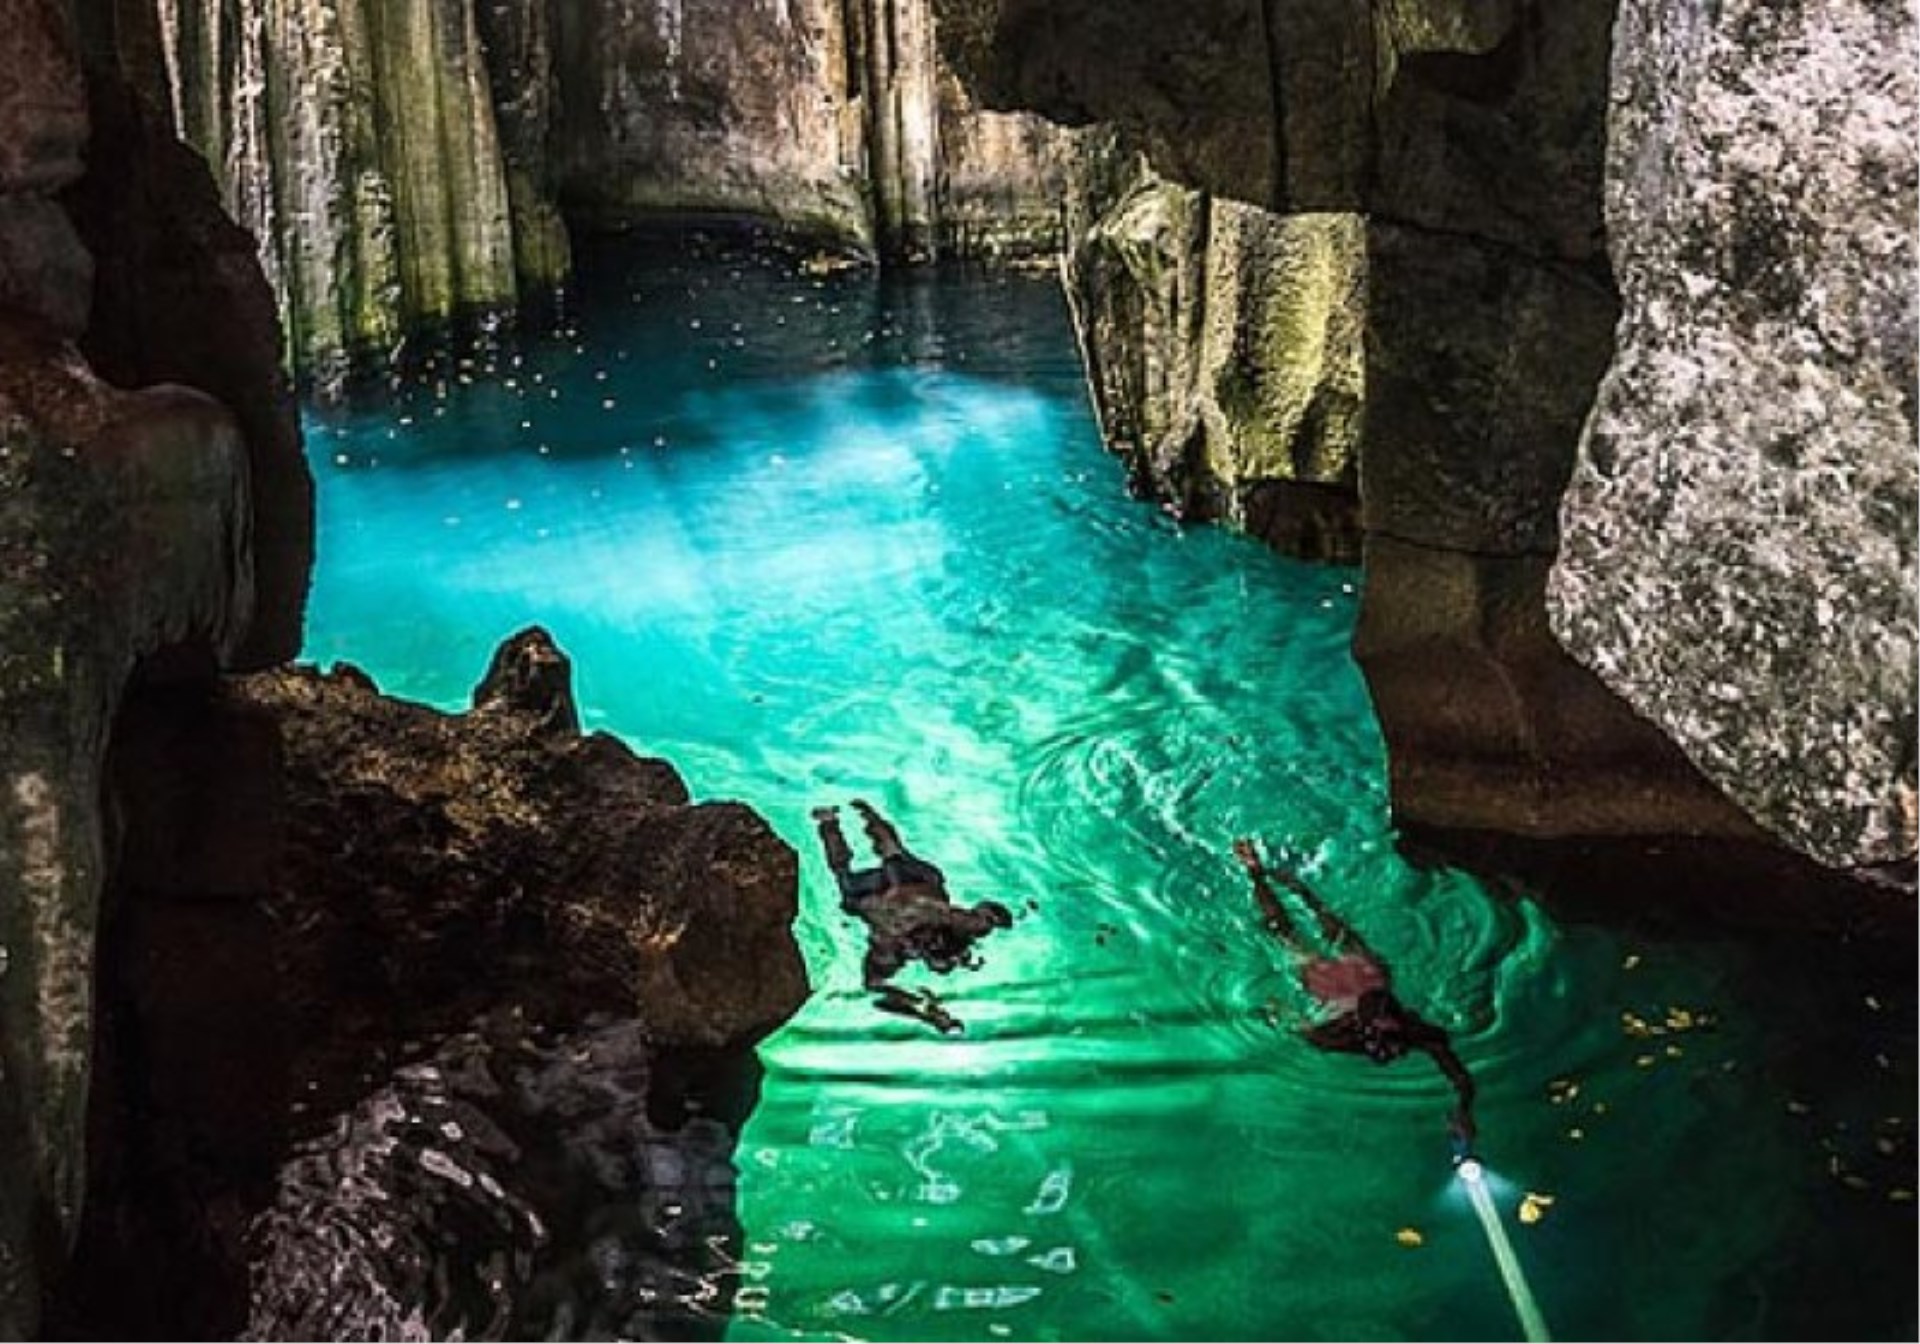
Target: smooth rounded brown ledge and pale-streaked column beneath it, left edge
[(122, 544)]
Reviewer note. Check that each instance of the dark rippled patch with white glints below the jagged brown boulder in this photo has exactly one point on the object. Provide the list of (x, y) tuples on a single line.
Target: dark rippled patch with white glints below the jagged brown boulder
[(508, 1186)]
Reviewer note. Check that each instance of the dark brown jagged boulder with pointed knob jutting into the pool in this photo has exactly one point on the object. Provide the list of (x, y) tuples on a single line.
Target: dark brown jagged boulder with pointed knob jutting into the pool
[(331, 888)]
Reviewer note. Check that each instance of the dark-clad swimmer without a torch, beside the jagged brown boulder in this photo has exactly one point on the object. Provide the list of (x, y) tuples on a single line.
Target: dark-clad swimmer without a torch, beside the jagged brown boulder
[(907, 913)]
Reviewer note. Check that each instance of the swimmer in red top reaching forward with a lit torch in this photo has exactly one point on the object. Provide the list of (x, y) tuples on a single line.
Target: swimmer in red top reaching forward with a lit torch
[(1355, 992)]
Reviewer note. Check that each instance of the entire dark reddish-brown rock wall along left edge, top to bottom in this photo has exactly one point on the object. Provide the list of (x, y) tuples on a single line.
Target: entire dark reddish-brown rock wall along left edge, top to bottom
[(130, 552)]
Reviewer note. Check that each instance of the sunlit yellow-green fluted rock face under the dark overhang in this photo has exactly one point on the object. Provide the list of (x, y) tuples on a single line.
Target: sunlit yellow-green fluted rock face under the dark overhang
[(1224, 350)]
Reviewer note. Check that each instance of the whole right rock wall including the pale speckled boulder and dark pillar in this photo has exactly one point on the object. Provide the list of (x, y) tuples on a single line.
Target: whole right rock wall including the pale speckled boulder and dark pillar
[(1739, 562)]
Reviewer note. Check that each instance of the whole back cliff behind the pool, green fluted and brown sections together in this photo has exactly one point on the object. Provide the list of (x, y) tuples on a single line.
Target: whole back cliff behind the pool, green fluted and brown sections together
[(416, 162)]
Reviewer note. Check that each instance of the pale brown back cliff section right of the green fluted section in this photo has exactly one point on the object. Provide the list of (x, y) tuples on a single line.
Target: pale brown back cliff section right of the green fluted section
[(832, 118)]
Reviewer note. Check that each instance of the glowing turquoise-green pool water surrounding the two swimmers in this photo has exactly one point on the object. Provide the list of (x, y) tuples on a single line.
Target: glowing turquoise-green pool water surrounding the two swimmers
[(828, 539)]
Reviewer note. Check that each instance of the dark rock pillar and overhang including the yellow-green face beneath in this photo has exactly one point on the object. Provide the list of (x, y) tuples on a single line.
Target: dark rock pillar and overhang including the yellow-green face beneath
[(1383, 268)]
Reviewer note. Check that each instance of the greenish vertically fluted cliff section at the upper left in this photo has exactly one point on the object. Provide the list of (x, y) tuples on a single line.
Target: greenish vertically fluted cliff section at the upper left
[(358, 143)]
